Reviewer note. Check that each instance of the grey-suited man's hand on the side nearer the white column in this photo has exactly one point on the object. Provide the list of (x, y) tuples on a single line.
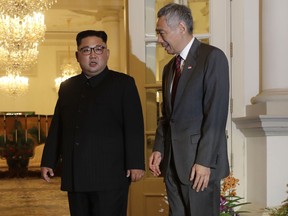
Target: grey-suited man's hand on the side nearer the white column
[(200, 174)]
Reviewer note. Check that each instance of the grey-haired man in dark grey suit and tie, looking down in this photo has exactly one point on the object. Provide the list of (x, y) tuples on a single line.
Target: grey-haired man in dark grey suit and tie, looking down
[(190, 144)]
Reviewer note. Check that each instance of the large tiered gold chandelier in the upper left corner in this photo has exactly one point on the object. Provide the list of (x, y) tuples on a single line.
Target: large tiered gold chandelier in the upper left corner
[(22, 29)]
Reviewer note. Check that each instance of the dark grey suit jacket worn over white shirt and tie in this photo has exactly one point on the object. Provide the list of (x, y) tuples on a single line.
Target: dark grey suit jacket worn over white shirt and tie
[(195, 128)]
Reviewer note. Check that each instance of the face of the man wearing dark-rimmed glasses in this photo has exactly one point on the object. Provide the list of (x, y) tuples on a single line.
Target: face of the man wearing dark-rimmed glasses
[(92, 63)]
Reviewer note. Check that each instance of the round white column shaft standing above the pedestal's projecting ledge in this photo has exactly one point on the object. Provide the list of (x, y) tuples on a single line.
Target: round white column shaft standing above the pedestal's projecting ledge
[(274, 52)]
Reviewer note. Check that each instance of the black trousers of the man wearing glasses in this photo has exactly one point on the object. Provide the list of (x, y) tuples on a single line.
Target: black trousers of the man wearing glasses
[(100, 203)]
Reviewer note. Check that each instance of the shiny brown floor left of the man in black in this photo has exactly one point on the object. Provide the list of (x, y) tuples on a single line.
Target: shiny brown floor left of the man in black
[(32, 196)]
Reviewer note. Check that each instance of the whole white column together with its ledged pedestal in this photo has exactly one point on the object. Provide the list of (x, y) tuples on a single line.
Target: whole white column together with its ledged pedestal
[(265, 125)]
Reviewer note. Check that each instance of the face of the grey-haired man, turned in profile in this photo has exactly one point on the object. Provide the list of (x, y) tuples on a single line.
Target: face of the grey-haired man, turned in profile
[(167, 36)]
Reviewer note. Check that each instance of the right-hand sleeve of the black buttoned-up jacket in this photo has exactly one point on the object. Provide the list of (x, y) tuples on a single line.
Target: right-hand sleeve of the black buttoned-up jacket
[(133, 127)]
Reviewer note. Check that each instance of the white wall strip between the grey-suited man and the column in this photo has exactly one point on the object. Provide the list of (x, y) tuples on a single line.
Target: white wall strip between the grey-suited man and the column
[(245, 76)]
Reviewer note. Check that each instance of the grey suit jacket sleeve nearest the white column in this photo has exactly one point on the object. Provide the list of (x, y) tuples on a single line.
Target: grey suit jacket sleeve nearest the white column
[(215, 109)]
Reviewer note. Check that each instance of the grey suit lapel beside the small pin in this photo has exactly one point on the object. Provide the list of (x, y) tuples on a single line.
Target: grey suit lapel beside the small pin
[(187, 71)]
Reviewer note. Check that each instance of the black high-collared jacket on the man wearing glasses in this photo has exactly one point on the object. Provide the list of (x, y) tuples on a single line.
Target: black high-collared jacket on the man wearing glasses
[(98, 132)]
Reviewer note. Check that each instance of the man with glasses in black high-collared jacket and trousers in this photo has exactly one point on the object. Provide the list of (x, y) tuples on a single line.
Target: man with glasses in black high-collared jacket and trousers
[(97, 131)]
